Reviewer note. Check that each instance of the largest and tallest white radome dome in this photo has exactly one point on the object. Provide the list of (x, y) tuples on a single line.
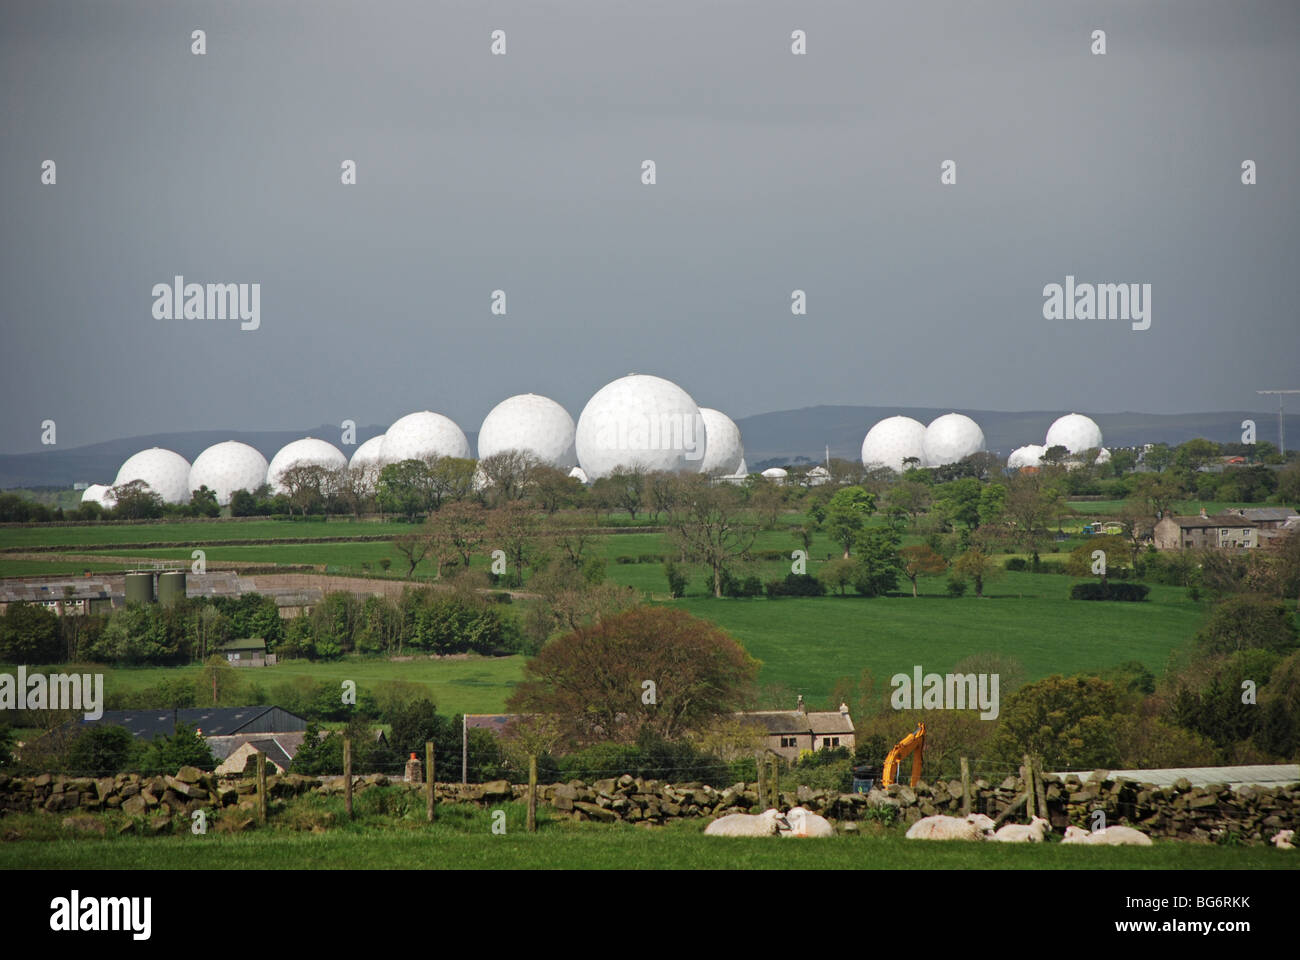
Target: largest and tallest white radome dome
[(640, 421)]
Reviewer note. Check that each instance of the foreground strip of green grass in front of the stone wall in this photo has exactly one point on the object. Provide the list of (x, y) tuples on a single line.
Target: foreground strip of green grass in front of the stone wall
[(463, 840)]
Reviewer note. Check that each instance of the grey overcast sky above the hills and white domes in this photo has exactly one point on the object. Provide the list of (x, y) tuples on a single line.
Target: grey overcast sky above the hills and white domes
[(523, 174)]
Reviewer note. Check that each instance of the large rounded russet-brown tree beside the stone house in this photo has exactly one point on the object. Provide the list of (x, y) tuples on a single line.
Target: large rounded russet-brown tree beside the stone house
[(595, 681)]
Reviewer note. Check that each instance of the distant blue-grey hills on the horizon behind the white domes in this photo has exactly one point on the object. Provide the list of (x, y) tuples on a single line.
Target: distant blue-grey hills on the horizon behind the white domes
[(782, 436)]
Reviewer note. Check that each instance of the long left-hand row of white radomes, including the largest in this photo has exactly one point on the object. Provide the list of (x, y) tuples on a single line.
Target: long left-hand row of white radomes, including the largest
[(638, 420)]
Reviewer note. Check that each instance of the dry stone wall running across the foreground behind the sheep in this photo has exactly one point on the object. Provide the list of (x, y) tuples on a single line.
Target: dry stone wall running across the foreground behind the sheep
[(1215, 812)]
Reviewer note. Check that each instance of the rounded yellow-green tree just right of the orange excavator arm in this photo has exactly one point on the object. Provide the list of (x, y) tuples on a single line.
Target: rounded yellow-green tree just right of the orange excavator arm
[(1068, 721)]
